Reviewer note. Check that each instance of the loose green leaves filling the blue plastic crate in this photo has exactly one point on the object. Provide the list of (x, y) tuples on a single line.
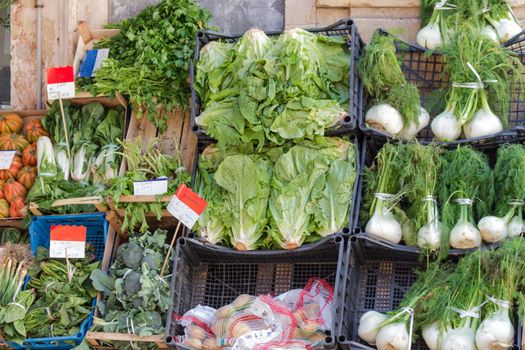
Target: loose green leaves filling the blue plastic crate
[(63, 295)]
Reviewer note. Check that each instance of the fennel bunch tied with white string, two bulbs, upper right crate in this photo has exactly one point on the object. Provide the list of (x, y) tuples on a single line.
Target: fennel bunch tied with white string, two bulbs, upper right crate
[(481, 73)]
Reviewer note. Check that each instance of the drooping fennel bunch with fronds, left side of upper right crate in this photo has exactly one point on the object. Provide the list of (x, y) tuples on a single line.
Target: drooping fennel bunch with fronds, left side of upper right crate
[(395, 102)]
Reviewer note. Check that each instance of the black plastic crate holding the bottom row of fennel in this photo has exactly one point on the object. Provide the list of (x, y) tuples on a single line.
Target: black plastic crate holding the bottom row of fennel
[(377, 278)]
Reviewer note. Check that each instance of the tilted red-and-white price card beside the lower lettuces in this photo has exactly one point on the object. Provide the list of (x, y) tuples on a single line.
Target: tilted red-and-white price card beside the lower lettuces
[(186, 206)]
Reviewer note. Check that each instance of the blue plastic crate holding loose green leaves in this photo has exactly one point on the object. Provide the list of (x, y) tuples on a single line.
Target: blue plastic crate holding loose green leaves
[(97, 229)]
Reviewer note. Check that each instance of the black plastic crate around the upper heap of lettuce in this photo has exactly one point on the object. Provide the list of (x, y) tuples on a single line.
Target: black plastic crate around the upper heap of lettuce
[(344, 27)]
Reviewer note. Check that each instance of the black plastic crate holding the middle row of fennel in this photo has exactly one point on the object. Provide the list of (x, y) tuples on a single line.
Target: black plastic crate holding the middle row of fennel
[(370, 148)]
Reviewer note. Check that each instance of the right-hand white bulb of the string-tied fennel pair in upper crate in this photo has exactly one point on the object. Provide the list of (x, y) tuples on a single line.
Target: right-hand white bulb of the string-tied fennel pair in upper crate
[(484, 122)]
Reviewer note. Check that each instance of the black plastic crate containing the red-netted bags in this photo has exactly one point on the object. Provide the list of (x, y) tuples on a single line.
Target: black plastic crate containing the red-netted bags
[(209, 275)]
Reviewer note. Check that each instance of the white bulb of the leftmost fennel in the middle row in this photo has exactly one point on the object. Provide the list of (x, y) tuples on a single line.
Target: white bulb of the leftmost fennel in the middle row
[(383, 224)]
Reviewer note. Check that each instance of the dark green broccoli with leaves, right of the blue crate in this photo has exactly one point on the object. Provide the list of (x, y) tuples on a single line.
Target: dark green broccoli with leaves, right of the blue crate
[(135, 296)]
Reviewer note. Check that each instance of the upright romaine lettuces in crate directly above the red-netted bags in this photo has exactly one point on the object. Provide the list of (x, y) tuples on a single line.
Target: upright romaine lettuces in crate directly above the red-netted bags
[(279, 197)]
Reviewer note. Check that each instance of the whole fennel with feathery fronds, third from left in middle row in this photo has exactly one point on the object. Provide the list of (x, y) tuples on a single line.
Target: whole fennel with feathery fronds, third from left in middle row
[(465, 179)]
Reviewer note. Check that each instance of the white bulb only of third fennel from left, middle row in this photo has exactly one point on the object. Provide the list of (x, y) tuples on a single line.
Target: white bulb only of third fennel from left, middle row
[(464, 235)]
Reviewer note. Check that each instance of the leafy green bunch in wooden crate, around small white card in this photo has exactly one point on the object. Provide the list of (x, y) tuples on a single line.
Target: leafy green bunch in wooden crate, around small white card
[(145, 162)]
